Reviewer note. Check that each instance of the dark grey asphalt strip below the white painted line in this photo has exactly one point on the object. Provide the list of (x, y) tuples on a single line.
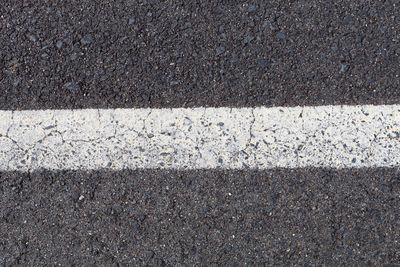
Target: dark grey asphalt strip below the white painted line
[(169, 218)]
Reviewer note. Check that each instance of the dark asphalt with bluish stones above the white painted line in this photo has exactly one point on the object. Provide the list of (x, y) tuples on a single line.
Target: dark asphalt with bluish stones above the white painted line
[(68, 54)]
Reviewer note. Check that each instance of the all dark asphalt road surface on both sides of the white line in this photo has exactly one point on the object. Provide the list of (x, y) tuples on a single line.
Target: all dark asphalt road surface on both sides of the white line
[(95, 54)]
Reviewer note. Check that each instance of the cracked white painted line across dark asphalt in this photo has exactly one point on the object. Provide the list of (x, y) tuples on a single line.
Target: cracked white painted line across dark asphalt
[(230, 138)]
